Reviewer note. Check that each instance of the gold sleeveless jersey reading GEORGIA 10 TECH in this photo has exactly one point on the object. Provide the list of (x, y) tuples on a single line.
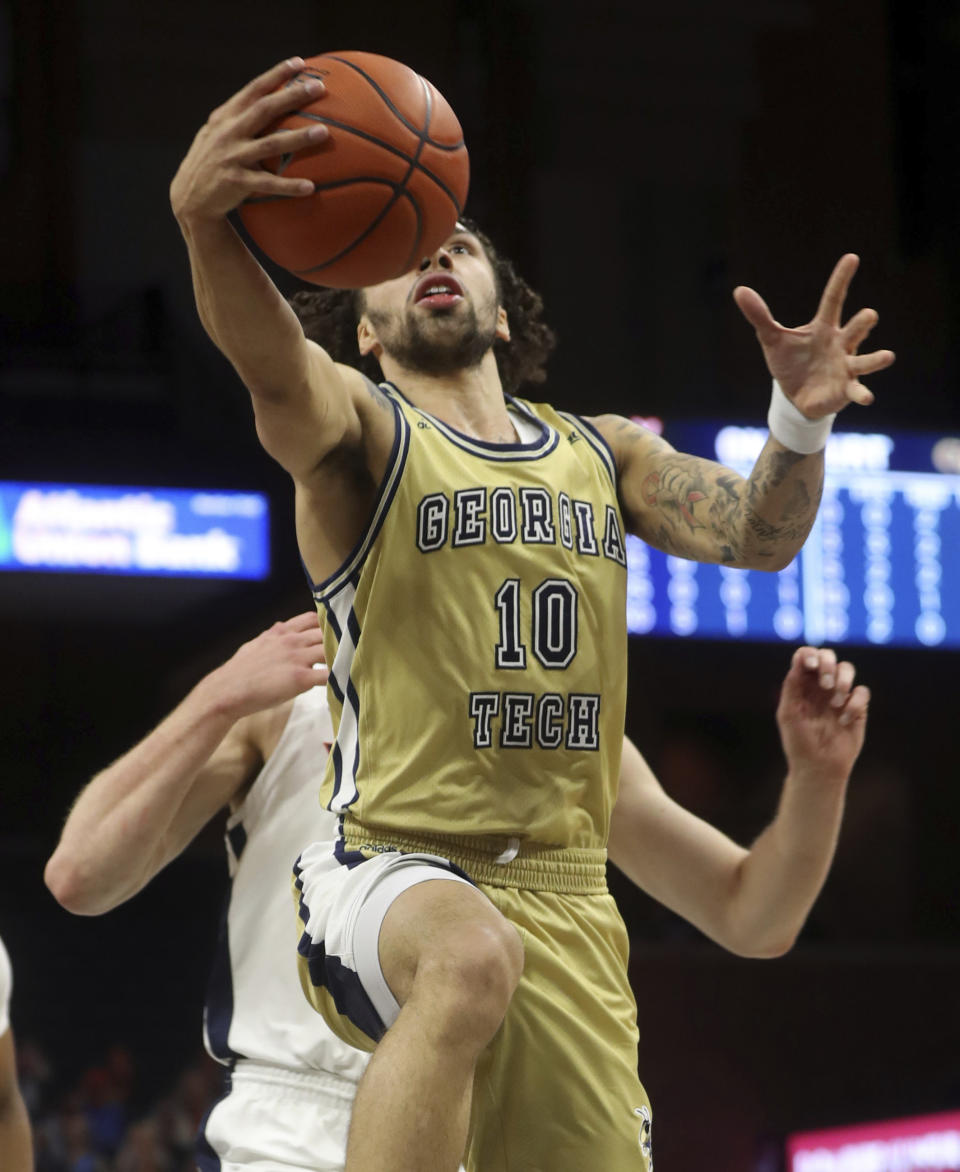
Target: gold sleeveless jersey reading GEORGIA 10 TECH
[(478, 638)]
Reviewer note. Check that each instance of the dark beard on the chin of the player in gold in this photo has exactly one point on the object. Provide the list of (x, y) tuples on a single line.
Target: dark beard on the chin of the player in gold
[(439, 345)]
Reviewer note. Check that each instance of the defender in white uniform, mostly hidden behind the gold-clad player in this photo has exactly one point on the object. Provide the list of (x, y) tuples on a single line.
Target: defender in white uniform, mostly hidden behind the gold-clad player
[(291, 1082)]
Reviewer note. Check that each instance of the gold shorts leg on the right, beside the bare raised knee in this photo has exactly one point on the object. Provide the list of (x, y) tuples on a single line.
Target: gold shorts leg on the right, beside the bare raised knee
[(557, 1091)]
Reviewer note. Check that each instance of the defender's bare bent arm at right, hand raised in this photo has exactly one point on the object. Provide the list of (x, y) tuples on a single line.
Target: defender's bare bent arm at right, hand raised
[(753, 903)]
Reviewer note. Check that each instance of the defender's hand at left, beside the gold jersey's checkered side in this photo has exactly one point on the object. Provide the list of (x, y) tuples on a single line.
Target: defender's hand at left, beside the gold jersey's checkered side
[(278, 665)]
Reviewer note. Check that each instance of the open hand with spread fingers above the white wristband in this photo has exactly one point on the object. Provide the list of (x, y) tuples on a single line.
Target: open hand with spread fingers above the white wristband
[(818, 365)]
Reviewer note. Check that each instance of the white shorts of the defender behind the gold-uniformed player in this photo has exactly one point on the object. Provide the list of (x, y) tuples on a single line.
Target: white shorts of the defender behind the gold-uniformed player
[(271, 1120)]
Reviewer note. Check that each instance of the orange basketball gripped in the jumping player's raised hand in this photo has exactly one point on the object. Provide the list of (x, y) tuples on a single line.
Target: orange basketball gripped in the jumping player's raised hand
[(391, 180)]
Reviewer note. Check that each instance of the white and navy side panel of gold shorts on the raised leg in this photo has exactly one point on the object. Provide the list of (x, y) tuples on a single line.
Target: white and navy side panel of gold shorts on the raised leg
[(343, 898)]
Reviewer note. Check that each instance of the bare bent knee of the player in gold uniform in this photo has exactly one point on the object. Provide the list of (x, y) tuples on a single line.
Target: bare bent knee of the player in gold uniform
[(472, 985)]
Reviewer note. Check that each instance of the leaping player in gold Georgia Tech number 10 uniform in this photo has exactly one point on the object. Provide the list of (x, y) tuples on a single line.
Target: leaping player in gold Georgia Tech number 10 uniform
[(467, 556)]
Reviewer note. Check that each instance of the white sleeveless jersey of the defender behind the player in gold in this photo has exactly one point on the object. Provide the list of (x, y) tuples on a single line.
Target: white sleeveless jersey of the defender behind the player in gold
[(255, 1009)]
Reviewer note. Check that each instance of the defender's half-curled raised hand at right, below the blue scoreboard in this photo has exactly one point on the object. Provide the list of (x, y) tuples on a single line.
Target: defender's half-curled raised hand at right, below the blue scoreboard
[(822, 717)]
